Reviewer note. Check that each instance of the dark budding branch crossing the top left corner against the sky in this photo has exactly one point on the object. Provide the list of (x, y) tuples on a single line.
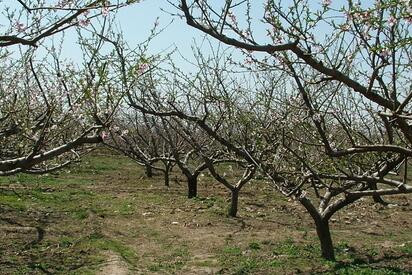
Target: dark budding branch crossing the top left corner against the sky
[(31, 22)]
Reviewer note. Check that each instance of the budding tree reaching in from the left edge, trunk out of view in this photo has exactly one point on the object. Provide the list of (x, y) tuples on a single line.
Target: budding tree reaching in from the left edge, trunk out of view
[(52, 111)]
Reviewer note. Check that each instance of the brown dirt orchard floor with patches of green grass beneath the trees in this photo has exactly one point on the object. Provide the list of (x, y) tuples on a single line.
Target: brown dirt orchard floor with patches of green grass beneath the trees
[(105, 217)]
